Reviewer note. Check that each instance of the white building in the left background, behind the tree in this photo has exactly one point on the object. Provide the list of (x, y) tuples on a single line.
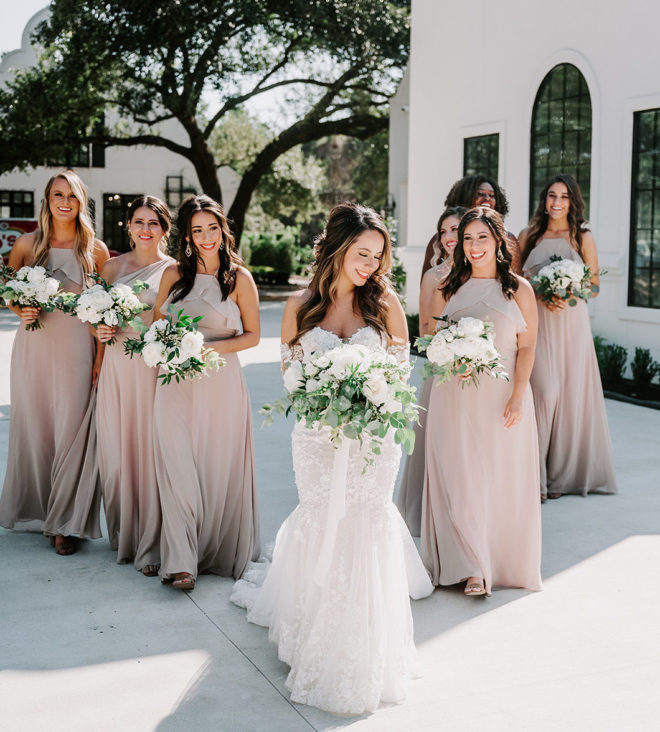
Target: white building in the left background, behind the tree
[(113, 175)]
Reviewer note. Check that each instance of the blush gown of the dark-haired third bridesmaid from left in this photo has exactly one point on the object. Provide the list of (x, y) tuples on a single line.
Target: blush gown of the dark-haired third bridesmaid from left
[(205, 454)]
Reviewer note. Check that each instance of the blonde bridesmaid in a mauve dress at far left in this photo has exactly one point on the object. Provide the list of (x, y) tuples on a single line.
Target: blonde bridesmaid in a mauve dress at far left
[(52, 471)]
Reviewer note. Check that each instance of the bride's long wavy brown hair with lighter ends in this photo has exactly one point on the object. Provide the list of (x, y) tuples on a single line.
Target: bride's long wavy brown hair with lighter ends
[(345, 223)]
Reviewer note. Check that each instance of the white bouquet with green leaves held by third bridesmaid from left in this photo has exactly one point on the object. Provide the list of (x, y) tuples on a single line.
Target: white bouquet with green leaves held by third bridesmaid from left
[(175, 345)]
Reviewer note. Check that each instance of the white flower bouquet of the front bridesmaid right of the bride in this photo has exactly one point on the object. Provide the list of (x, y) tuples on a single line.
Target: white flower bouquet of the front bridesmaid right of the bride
[(463, 347)]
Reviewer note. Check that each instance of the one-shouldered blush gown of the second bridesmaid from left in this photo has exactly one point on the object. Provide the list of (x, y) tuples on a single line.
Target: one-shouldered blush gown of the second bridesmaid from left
[(124, 424)]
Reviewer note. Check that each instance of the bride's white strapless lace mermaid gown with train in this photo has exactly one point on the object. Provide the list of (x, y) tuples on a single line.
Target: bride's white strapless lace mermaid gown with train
[(345, 628)]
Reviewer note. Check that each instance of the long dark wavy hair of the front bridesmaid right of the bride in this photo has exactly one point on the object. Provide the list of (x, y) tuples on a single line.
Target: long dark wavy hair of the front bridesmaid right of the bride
[(462, 269)]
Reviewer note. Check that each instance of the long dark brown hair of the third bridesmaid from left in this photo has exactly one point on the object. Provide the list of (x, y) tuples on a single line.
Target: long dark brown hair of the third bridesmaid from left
[(230, 261)]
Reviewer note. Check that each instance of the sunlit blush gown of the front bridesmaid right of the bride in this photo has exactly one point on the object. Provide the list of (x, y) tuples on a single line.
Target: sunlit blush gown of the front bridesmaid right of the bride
[(481, 511)]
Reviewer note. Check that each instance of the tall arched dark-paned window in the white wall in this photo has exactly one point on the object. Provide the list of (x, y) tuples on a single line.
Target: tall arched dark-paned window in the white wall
[(561, 132)]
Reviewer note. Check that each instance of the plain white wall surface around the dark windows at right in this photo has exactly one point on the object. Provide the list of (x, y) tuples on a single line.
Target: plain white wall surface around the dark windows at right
[(478, 72)]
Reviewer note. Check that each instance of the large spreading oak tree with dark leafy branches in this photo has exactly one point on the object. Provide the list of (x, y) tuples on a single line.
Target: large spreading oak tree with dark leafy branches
[(135, 65)]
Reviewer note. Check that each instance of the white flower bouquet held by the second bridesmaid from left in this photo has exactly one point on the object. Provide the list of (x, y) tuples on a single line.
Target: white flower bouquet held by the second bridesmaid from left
[(104, 304)]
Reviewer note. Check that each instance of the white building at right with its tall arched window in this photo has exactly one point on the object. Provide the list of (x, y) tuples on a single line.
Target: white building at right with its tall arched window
[(530, 90)]
